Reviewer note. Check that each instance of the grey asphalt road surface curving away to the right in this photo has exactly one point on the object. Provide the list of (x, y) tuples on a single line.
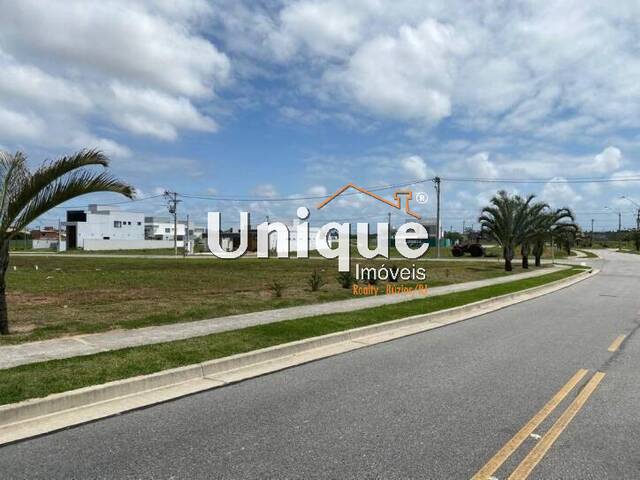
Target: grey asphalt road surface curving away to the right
[(436, 405)]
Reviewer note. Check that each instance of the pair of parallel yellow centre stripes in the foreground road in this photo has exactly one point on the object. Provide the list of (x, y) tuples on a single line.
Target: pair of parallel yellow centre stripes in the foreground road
[(527, 465)]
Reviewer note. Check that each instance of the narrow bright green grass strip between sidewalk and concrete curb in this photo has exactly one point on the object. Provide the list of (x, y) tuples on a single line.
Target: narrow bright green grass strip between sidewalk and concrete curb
[(41, 379)]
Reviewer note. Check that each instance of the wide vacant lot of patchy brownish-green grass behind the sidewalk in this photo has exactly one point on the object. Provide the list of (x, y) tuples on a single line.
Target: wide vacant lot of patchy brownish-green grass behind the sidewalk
[(73, 295)]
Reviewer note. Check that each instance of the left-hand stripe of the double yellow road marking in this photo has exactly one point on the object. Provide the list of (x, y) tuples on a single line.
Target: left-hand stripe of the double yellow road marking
[(512, 445)]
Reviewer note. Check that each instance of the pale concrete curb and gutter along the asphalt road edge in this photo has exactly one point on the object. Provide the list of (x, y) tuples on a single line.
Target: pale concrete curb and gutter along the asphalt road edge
[(38, 416)]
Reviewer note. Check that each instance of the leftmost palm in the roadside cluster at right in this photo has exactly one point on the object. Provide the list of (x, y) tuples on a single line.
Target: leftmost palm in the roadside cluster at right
[(505, 220)]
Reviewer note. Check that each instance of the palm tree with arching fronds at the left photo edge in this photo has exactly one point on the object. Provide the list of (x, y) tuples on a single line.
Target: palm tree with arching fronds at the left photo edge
[(25, 195)]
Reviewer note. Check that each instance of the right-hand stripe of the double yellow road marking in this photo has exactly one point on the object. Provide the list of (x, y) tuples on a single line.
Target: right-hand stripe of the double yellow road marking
[(527, 465)]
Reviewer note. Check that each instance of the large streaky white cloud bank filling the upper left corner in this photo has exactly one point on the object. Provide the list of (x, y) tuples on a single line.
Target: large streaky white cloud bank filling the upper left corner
[(74, 70)]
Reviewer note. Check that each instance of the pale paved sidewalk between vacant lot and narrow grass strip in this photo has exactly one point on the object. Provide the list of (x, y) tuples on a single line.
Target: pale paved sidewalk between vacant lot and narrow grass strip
[(14, 355)]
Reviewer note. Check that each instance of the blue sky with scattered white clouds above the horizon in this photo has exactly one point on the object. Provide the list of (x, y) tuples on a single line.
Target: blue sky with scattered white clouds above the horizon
[(264, 106)]
